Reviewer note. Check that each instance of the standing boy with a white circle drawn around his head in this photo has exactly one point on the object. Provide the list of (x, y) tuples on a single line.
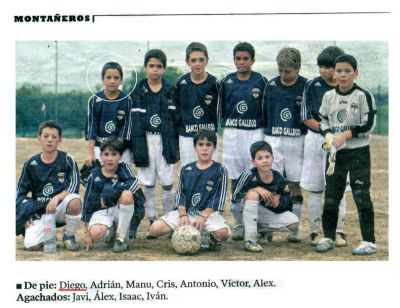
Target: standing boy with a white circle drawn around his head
[(108, 113)]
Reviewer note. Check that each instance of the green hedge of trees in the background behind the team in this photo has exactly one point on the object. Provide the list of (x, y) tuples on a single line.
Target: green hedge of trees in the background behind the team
[(33, 106)]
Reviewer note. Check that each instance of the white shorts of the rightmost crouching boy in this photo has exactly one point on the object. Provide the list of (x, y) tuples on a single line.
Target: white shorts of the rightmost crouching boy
[(274, 220)]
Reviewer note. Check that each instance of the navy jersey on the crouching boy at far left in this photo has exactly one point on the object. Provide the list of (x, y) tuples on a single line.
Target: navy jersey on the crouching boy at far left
[(44, 181)]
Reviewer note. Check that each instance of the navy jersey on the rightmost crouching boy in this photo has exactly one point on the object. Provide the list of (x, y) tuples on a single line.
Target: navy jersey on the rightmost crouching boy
[(251, 179)]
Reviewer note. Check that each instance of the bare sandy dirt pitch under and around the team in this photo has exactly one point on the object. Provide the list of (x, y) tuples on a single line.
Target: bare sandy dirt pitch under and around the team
[(279, 250)]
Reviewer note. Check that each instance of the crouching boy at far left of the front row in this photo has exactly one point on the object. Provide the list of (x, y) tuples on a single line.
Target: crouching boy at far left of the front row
[(52, 180)]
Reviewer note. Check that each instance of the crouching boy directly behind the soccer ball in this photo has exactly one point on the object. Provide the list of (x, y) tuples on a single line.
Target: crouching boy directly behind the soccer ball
[(201, 195)]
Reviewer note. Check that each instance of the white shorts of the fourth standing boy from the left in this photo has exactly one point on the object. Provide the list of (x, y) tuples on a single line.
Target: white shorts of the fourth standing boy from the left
[(236, 149)]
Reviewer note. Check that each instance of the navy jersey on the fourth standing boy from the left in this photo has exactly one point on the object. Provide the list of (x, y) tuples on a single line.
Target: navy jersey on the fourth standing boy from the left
[(241, 101)]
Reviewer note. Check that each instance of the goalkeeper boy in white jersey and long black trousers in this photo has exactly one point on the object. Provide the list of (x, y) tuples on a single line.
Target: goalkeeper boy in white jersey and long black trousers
[(348, 115)]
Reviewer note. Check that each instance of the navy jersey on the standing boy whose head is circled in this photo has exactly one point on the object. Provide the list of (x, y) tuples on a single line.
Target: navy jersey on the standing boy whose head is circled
[(107, 118)]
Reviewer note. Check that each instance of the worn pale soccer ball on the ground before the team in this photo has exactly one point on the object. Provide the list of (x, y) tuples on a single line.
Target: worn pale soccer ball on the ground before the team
[(186, 240)]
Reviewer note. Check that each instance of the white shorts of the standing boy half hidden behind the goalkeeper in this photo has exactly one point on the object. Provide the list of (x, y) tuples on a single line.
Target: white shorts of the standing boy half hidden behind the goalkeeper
[(313, 174)]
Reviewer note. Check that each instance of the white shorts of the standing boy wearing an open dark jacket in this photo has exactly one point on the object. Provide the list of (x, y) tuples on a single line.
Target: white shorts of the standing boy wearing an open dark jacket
[(158, 167)]
